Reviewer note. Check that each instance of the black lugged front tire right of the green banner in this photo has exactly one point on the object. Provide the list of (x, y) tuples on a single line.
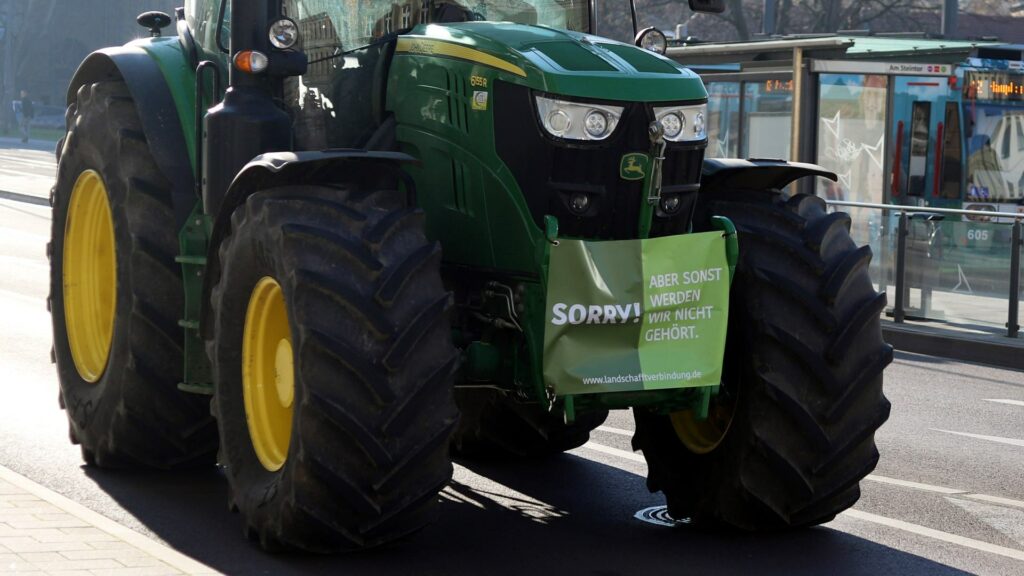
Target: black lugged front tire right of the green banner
[(803, 377)]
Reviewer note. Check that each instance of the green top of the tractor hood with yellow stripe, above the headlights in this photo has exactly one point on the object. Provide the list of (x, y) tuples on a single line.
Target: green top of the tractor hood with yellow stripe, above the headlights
[(561, 62)]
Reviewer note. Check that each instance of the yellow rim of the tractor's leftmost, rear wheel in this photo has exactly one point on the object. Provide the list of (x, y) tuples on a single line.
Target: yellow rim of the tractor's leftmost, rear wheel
[(90, 276)]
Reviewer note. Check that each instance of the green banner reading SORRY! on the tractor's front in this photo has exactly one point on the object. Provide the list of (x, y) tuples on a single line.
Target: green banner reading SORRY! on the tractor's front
[(636, 315)]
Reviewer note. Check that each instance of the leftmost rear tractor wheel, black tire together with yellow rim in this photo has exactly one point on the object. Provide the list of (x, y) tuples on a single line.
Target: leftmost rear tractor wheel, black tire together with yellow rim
[(116, 296)]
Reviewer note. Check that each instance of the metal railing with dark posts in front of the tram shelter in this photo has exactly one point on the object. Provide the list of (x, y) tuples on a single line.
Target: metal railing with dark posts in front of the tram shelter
[(903, 231)]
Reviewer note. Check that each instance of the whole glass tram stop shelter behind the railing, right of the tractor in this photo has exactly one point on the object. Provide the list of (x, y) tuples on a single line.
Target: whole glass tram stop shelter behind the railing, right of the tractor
[(928, 124)]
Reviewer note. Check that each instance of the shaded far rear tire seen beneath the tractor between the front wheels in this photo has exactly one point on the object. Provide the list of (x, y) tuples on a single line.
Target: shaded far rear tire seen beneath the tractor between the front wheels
[(494, 426)]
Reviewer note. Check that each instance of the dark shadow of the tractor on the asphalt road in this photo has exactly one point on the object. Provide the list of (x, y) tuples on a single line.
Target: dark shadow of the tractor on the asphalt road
[(565, 515)]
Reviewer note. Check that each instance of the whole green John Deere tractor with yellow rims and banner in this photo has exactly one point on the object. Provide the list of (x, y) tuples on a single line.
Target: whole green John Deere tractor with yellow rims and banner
[(328, 244)]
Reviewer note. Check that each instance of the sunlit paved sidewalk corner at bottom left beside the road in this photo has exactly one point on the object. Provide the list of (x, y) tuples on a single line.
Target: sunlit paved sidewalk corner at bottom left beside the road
[(42, 532)]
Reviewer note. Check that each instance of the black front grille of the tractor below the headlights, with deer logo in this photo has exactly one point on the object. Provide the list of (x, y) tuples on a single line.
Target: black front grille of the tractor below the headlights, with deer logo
[(551, 172)]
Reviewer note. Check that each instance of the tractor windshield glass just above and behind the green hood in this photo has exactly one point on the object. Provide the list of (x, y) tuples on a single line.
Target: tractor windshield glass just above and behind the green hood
[(351, 25)]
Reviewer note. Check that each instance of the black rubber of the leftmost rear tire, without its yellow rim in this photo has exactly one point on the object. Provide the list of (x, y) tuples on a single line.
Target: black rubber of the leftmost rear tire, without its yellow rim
[(135, 415)]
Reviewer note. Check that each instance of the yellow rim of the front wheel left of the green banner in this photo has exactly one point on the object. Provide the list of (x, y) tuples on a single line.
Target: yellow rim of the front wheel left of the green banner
[(269, 374)]
